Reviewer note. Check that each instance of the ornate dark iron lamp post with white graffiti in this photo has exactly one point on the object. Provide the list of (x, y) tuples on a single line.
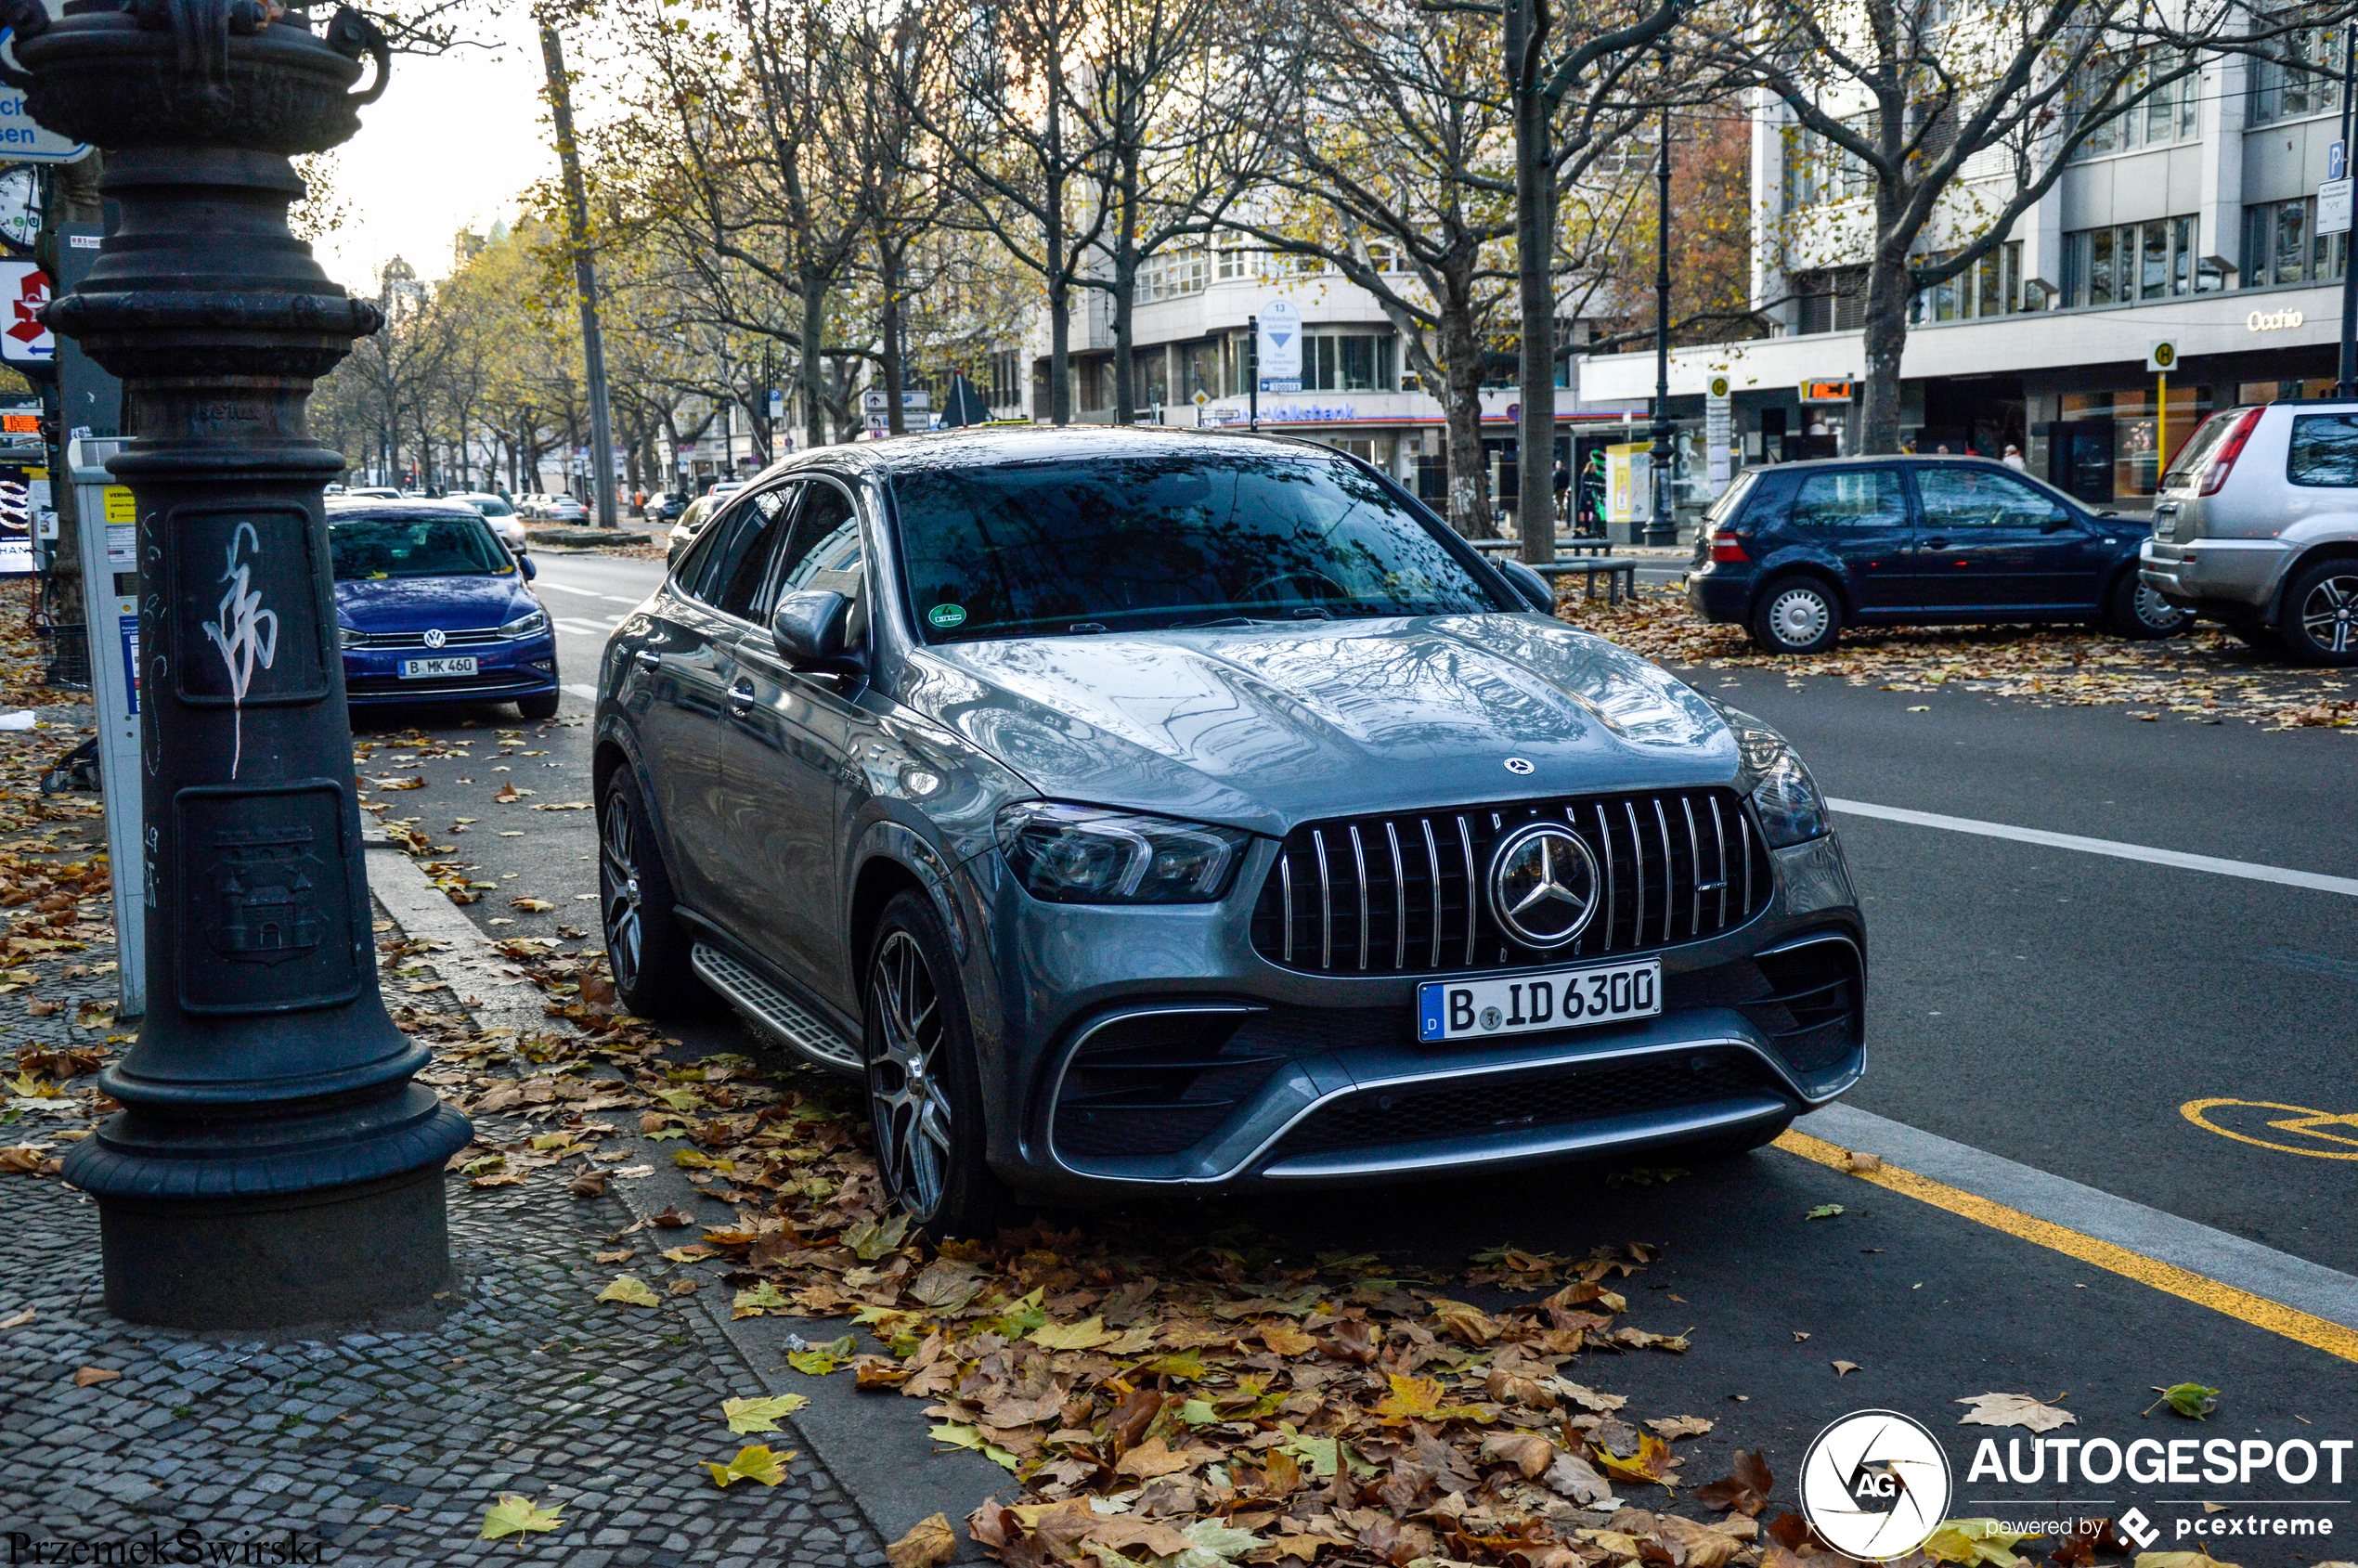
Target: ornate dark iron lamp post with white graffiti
[(272, 1164)]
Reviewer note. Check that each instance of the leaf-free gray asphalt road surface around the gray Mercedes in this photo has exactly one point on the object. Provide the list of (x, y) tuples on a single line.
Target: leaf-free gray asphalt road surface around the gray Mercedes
[(2048, 1006)]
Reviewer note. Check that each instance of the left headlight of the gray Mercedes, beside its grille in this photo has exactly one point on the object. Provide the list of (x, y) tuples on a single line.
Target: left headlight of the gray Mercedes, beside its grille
[(1091, 855)]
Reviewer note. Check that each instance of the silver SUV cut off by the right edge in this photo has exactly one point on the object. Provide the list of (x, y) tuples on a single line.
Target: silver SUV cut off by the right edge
[(2258, 527)]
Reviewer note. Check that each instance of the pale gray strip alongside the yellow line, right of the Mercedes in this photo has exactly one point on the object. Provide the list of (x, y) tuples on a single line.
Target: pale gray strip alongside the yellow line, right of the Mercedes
[(2220, 1256)]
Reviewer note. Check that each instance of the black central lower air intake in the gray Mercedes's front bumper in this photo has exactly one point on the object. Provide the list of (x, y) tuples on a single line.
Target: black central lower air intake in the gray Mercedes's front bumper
[(1499, 1105)]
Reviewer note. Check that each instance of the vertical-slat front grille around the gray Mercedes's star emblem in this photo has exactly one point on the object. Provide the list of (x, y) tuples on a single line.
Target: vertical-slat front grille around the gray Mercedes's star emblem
[(1385, 895)]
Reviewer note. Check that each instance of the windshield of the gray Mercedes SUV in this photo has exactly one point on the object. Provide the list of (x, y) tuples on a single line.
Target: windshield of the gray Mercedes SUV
[(1152, 543)]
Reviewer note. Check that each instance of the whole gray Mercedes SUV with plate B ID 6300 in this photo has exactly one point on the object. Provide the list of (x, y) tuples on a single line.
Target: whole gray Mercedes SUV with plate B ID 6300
[(1194, 810)]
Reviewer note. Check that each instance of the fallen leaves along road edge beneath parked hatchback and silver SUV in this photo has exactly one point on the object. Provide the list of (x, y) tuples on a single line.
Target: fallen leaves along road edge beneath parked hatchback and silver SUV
[(2204, 678)]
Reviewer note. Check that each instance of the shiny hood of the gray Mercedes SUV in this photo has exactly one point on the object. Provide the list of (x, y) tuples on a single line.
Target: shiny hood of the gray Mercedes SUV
[(1270, 727)]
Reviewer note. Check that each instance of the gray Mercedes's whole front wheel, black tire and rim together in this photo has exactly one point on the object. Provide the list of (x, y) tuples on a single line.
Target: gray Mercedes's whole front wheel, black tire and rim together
[(926, 1102)]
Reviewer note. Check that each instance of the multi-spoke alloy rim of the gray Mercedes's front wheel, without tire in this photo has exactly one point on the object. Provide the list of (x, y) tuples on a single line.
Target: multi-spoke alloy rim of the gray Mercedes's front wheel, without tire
[(909, 1105)]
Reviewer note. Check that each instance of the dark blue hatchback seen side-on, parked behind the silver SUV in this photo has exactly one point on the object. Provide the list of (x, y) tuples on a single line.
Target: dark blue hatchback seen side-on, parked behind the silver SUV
[(1798, 551)]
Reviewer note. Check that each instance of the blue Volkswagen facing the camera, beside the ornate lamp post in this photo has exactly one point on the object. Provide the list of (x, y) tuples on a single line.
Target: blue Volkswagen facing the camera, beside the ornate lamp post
[(435, 610)]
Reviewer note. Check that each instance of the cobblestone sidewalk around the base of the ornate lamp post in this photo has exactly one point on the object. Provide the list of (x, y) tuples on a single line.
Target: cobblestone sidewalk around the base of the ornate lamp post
[(393, 1447)]
